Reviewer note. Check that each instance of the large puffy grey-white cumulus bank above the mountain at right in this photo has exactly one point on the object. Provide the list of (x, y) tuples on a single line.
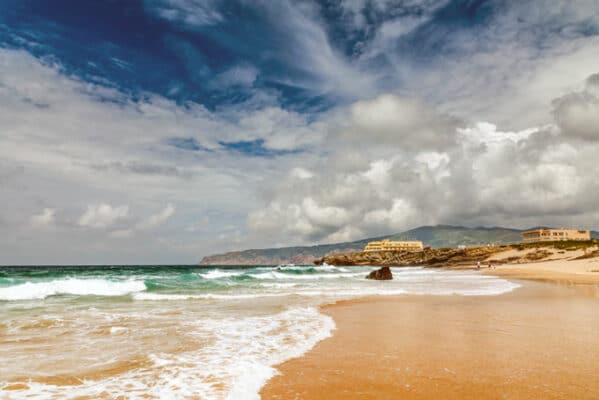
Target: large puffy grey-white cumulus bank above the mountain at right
[(481, 175)]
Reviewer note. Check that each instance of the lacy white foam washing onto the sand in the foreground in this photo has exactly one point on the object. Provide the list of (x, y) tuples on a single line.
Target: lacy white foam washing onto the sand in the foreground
[(234, 366)]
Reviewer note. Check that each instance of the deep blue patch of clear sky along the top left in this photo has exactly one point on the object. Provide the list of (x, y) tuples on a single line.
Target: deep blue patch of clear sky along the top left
[(212, 52)]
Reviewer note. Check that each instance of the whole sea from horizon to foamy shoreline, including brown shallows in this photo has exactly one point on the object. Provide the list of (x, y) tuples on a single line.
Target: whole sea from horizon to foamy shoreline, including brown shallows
[(180, 332)]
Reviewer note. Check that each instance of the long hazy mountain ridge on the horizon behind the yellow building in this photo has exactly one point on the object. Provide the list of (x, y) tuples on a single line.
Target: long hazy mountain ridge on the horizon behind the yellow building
[(434, 236)]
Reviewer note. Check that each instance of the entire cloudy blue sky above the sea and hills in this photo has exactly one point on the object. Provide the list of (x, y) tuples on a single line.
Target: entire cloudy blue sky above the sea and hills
[(161, 131)]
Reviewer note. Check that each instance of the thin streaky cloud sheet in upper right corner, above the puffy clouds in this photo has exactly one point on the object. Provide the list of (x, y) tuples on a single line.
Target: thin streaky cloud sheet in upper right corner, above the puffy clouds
[(504, 71)]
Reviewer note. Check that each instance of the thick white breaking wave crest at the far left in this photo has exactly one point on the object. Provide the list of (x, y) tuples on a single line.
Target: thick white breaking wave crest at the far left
[(73, 286)]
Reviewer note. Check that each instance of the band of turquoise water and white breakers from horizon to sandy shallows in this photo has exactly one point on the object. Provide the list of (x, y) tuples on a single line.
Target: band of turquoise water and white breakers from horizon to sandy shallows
[(179, 282)]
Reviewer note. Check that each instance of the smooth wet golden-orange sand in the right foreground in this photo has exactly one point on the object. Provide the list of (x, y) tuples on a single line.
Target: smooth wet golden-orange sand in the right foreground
[(539, 341)]
